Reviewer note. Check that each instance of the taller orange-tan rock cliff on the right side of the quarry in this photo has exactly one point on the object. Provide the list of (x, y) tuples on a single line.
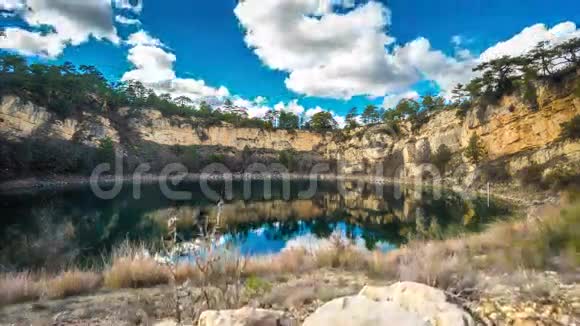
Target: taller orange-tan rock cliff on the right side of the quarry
[(510, 130)]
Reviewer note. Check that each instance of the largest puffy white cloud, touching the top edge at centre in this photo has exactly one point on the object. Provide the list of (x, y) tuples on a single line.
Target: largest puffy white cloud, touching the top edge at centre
[(332, 55)]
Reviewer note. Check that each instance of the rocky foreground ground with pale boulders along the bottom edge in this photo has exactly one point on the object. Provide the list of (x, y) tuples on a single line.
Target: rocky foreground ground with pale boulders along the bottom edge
[(313, 298)]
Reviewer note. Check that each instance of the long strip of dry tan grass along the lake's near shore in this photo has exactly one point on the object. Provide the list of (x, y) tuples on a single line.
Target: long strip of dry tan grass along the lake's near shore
[(546, 240)]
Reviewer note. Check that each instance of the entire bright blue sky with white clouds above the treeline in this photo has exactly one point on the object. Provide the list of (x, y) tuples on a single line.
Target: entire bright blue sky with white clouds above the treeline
[(204, 41)]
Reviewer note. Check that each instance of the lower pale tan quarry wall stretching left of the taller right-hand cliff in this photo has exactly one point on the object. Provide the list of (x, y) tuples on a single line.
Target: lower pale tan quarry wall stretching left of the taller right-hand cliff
[(19, 119)]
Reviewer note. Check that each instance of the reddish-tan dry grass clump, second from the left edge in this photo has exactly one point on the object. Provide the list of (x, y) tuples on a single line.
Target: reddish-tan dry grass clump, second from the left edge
[(72, 283)]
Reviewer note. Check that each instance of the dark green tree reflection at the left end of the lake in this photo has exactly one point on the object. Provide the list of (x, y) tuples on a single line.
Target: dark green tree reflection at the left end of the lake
[(65, 232)]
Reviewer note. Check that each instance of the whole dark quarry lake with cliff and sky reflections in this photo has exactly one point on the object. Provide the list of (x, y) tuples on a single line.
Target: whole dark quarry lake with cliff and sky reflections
[(50, 229)]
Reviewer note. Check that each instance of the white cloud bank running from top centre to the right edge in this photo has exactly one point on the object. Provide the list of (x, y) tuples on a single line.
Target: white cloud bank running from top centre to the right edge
[(341, 55)]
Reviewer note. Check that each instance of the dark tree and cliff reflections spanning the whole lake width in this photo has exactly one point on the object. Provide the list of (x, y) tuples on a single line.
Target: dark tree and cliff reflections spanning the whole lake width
[(67, 226)]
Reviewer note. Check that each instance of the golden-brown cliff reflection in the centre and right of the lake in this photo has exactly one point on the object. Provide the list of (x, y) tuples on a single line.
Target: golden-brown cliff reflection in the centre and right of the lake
[(390, 217)]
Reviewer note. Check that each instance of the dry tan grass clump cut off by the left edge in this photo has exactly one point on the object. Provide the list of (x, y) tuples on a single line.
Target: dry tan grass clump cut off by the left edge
[(15, 288)]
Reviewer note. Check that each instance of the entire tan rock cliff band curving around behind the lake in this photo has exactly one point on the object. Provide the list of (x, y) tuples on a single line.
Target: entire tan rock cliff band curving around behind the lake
[(511, 131)]
